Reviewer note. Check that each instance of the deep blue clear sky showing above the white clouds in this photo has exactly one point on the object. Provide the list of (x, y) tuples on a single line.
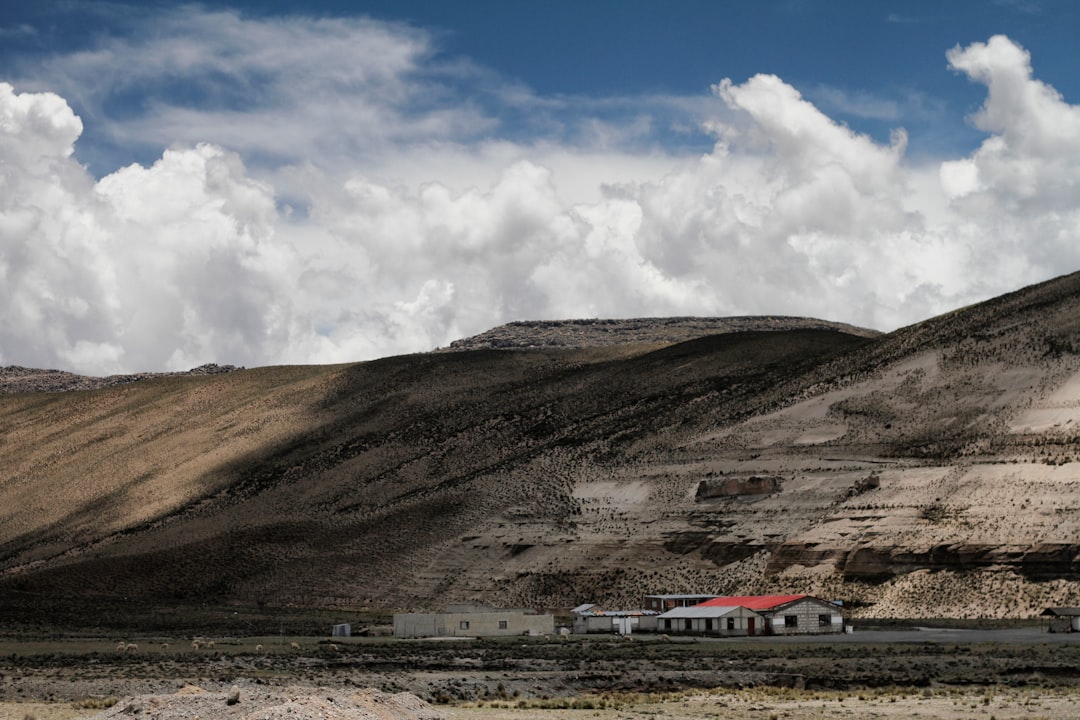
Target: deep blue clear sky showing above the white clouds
[(875, 66)]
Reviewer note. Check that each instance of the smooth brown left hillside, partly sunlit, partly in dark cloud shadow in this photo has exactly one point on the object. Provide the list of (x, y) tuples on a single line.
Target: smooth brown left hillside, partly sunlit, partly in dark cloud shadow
[(342, 484)]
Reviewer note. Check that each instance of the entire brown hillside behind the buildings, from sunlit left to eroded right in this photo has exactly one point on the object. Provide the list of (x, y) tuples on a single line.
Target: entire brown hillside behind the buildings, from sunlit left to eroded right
[(926, 472)]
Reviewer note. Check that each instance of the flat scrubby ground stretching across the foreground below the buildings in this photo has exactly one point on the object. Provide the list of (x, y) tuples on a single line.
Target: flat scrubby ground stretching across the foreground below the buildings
[(1019, 675)]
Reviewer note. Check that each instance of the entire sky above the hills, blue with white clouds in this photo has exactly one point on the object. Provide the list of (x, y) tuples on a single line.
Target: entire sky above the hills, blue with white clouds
[(264, 183)]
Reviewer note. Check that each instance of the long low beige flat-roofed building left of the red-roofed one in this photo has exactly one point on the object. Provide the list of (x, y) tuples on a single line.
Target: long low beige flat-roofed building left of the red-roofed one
[(471, 623)]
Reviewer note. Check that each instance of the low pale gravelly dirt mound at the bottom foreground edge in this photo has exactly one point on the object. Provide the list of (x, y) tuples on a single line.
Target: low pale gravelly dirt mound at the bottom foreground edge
[(292, 703)]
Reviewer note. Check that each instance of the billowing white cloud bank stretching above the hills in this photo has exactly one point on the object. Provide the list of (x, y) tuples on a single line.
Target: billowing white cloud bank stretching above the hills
[(334, 253)]
